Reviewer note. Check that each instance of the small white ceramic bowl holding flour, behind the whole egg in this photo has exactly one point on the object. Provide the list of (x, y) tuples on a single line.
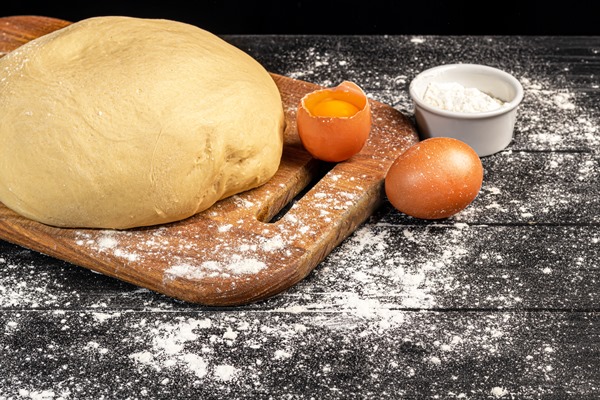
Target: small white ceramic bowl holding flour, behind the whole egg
[(487, 132)]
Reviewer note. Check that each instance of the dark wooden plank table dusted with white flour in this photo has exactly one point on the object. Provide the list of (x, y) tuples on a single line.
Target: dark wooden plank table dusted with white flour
[(499, 301)]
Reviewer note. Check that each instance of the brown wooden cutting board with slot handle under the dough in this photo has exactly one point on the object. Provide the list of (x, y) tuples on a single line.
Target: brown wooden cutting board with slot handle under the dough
[(236, 252)]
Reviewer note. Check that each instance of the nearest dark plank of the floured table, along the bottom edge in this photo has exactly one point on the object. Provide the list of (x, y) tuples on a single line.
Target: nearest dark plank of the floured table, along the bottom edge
[(266, 355)]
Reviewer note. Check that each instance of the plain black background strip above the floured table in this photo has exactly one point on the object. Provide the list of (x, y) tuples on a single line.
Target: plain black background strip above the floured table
[(342, 17)]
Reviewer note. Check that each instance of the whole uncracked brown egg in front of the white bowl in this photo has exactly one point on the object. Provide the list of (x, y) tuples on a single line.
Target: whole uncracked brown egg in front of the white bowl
[(435, 178)]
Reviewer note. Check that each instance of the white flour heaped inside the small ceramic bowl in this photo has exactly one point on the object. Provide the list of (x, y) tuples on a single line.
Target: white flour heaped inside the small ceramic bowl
[(452, 96)]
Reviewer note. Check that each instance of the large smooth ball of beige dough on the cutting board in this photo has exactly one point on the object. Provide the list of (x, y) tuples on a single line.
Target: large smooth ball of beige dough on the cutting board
[(121, 122)]
